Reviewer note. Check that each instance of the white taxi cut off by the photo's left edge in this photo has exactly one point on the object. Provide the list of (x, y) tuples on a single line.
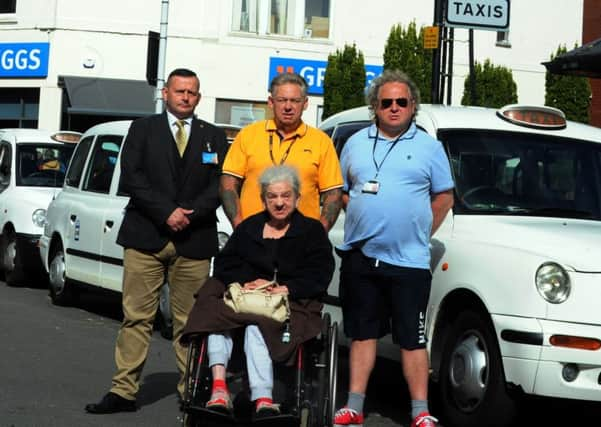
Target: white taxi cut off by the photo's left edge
[(32, 170)]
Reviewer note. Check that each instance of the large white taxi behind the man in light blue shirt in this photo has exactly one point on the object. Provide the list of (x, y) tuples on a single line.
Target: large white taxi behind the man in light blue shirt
[(516, 265)]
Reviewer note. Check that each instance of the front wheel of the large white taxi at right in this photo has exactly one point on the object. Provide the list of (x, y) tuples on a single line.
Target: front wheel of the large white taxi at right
[(472, 381)]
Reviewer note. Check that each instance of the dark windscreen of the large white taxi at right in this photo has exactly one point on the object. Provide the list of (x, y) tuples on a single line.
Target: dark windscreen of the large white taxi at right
[(511, 173)]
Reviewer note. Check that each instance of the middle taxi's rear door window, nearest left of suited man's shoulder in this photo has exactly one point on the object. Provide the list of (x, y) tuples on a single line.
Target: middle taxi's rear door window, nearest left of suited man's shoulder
[(102, 163)]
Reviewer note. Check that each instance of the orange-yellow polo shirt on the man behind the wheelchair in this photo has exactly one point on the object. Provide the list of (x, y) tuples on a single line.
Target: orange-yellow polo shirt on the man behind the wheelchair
[(309, 150)]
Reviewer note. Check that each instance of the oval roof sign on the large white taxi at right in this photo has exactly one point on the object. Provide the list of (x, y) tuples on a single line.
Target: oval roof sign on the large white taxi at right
[(533, 116)]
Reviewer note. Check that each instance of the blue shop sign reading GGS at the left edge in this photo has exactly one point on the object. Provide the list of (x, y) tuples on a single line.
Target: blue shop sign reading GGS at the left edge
[(24, 59)]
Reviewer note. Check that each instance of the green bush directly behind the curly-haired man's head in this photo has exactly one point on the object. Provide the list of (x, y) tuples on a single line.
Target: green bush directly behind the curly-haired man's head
[(405, 51)]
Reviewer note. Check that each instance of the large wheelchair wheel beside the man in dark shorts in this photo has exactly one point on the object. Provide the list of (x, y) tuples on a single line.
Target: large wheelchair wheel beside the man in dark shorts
[(323, 399)]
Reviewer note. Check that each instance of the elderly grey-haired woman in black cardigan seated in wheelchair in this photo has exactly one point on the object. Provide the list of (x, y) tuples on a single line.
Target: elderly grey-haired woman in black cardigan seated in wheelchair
[(277, 245)]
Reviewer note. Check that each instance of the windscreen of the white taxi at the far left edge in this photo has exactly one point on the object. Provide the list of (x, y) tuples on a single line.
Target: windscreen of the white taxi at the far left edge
[(42, 165)]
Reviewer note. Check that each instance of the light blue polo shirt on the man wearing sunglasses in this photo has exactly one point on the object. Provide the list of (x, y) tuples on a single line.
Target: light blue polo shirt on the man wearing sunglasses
[(393, 225)]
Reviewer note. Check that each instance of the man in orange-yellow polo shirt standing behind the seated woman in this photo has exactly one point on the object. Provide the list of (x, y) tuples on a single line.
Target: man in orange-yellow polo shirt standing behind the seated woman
[(283, 140)]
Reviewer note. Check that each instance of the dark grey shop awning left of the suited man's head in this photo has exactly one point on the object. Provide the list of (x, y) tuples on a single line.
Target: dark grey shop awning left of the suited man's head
[(108, 97)]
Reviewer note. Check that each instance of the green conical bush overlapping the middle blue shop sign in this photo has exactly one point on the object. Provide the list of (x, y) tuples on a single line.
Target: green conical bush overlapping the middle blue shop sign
[(344, 81)]
